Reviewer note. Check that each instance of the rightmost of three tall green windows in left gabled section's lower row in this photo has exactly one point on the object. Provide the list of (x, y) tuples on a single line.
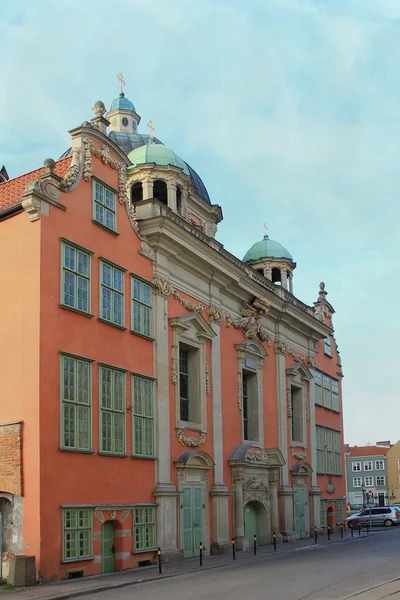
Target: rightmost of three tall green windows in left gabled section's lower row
[(143, 416)]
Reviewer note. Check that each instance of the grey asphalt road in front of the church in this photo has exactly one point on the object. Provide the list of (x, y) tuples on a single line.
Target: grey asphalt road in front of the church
[(330, 572)]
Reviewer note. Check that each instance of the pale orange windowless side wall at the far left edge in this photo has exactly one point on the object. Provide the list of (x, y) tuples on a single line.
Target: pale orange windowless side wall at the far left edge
[(19, 356)]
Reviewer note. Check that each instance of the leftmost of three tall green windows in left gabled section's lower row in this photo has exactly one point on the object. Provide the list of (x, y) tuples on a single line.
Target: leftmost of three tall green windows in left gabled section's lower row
[(76, 403)]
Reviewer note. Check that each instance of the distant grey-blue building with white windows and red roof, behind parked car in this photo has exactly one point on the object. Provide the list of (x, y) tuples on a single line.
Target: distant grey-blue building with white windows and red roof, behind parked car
[(367, 475)]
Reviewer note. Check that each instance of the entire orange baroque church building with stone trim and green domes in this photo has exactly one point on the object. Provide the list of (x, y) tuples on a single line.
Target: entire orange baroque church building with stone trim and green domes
[(173, 394)]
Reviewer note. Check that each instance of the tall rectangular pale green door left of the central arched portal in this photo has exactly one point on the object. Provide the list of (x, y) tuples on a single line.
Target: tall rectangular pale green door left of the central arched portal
[(192, 519)]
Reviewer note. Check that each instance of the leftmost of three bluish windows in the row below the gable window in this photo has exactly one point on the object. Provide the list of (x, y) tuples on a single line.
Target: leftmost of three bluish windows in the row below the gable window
[(75, 278)]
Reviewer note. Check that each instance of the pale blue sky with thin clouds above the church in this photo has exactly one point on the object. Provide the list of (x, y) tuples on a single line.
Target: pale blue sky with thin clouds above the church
[(289, 111)]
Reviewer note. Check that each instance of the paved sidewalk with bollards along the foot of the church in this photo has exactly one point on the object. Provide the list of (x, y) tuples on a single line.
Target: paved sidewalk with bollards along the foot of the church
[(89, 585)]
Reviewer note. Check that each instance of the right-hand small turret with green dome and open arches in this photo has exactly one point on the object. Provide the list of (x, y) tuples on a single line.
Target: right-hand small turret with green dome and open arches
[(273, 260)]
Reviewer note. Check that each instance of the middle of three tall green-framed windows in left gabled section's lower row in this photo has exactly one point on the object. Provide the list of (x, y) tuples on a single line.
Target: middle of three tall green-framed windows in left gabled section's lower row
[(112, 411)]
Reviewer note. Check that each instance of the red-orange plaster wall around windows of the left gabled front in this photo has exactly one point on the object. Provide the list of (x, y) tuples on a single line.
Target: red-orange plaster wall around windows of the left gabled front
[(69, 477)]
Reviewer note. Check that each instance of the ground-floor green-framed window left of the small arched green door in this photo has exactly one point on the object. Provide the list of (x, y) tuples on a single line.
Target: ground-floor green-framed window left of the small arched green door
[(77, 533)]
